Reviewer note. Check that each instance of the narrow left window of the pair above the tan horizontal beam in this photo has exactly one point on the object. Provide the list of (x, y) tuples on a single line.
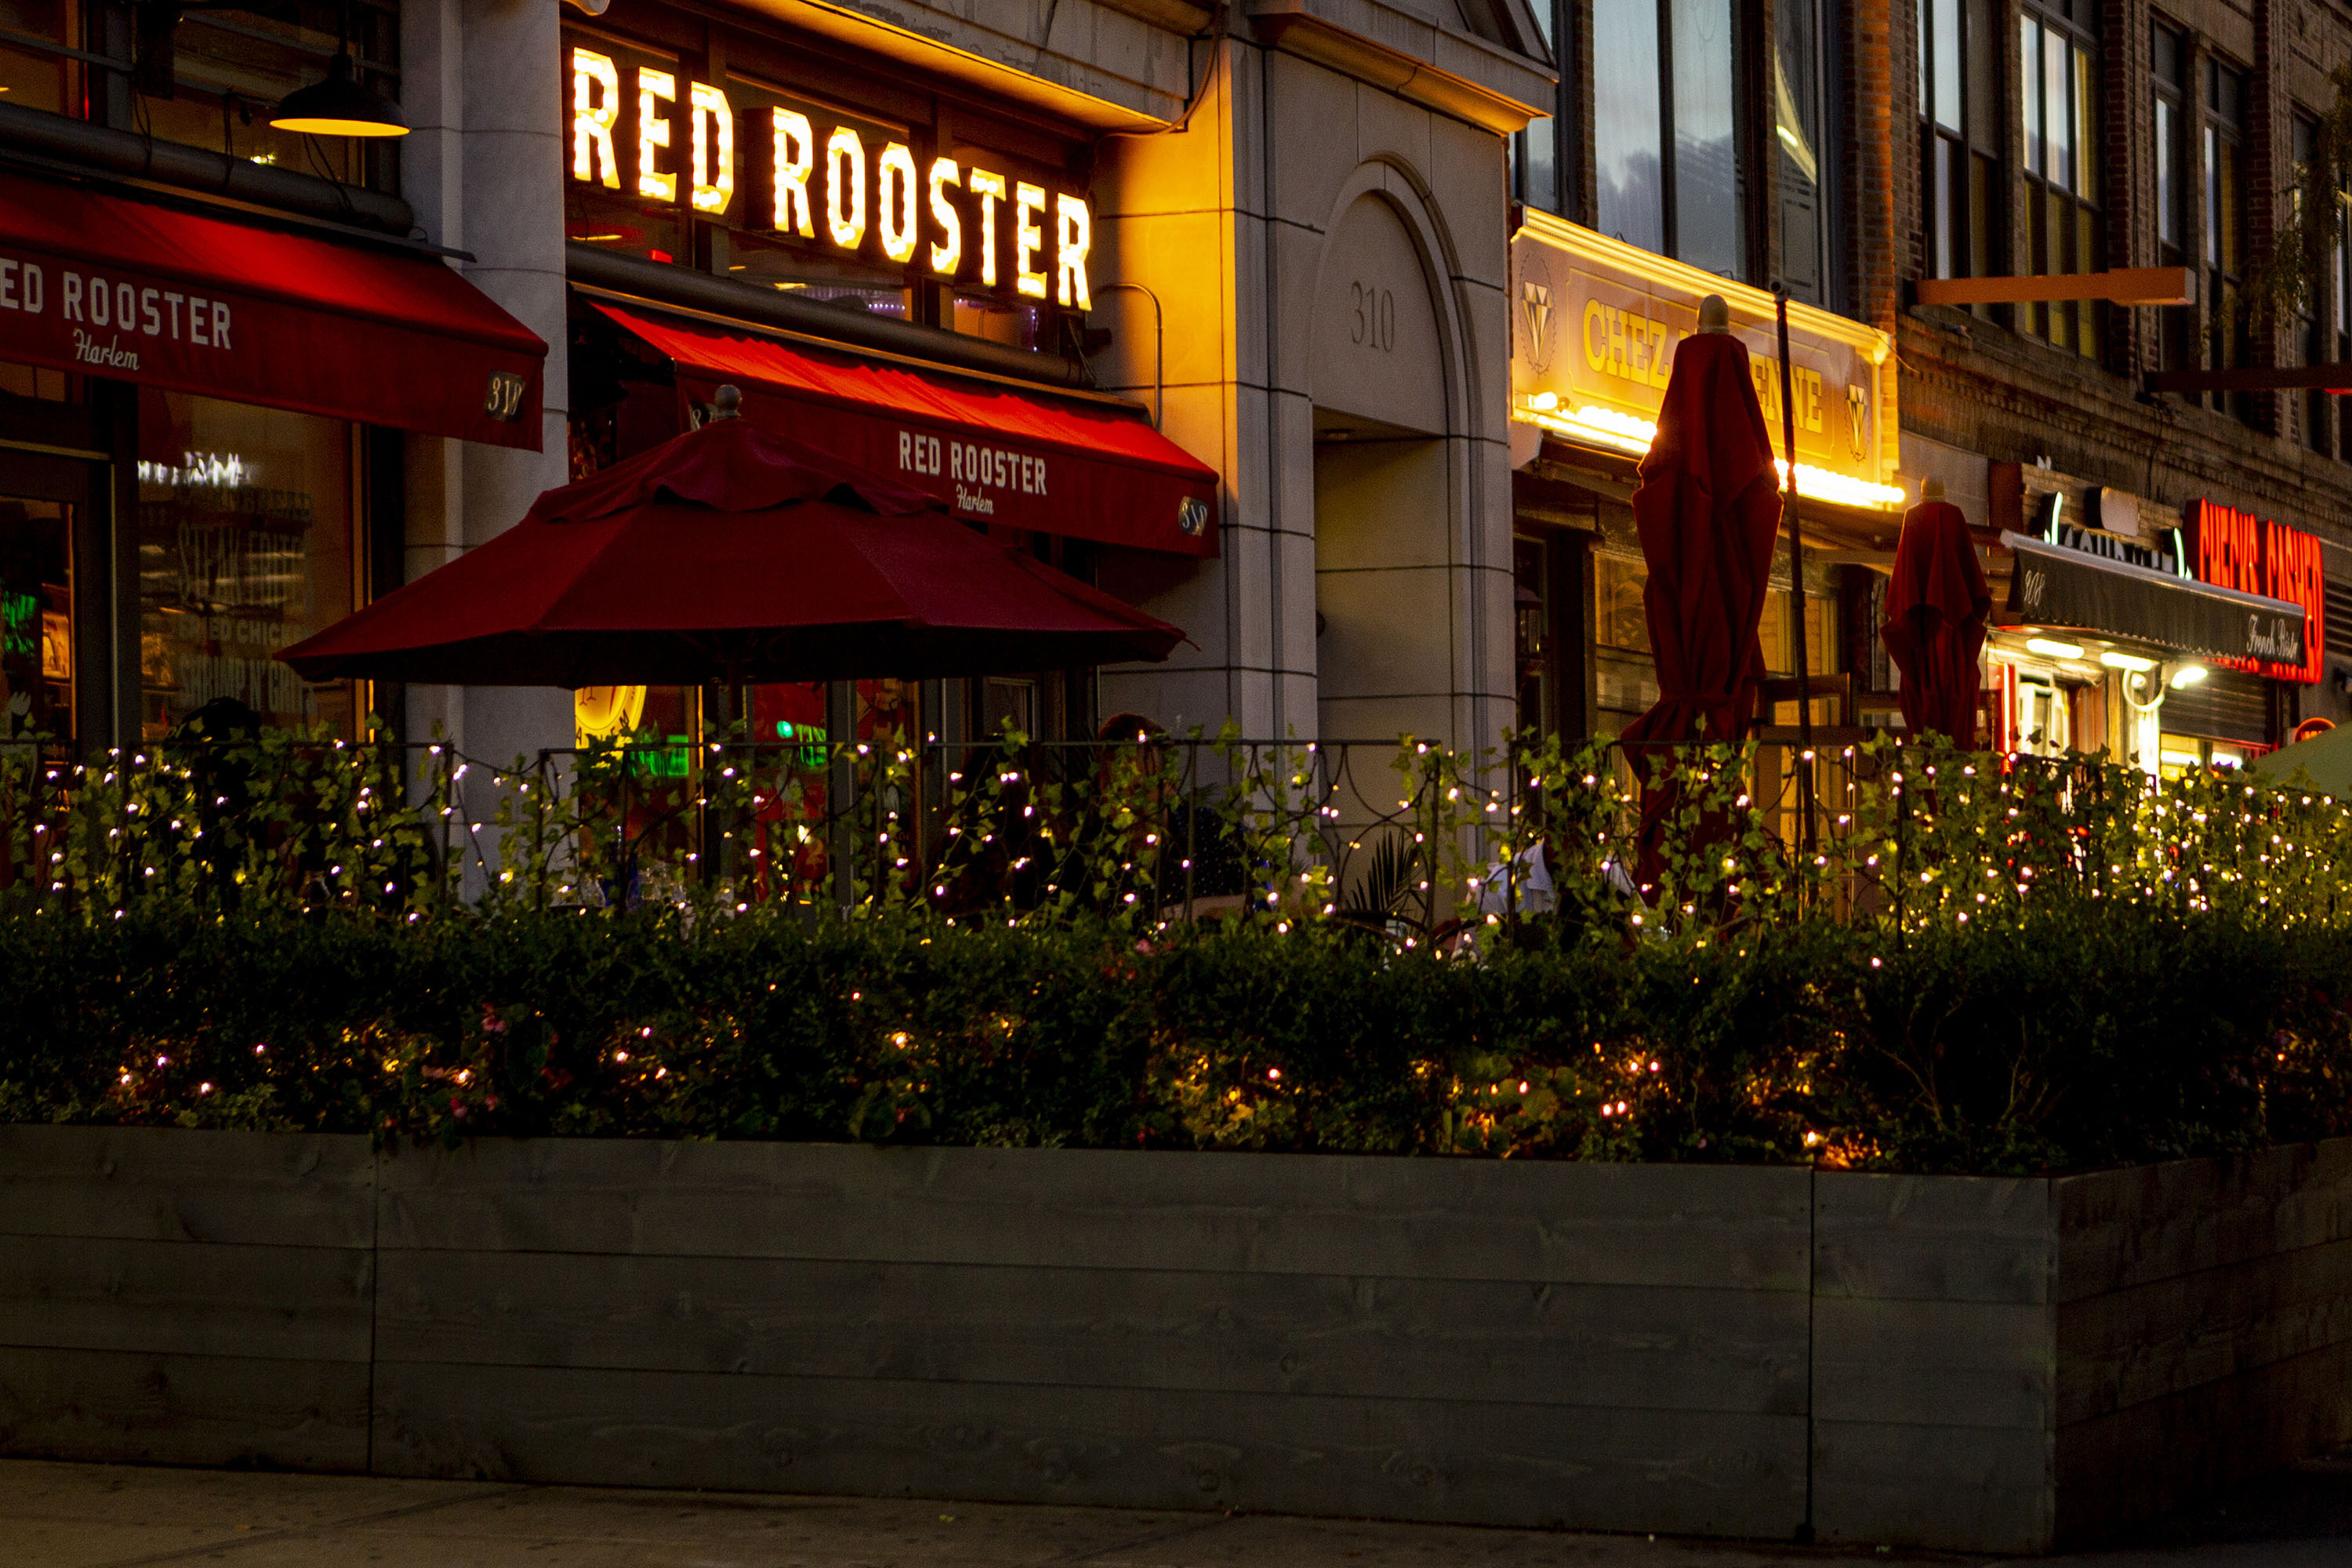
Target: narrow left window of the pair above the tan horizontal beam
[(1960, 135)]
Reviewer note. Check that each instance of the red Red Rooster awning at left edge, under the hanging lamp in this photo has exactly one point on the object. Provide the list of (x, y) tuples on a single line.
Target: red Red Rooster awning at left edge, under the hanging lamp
[(196, 304)]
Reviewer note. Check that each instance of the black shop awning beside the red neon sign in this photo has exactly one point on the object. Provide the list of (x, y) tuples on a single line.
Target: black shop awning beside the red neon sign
[(2069, 589)]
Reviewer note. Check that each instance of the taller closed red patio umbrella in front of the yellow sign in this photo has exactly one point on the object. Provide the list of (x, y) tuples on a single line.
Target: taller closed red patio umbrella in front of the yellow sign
[(1709, 514)]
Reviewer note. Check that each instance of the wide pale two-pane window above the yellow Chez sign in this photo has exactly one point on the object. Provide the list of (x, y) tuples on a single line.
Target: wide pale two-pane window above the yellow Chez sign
[(1664, 126)]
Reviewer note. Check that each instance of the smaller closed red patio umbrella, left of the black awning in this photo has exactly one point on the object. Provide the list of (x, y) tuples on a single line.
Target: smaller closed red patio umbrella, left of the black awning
[(1937, 612)]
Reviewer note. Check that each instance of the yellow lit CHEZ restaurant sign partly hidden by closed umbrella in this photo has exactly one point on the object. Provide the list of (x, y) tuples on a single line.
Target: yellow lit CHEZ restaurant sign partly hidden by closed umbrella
[(1596, 326)]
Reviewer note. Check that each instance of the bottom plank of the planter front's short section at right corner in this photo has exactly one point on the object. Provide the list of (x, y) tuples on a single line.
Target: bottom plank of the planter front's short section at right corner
[(1942, 1489)]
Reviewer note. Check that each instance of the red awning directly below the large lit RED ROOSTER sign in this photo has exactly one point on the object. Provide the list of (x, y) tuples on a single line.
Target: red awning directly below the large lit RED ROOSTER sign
[(987, 450)]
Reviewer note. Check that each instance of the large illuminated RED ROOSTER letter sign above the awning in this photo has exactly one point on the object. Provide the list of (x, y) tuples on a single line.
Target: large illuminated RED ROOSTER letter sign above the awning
[(664, 138)]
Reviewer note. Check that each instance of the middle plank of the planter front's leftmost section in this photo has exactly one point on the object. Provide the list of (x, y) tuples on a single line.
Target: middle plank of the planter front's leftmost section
[(281, 1304)]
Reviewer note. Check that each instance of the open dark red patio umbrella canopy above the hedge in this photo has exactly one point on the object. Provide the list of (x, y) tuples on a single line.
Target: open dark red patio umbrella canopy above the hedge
[(733, 556)]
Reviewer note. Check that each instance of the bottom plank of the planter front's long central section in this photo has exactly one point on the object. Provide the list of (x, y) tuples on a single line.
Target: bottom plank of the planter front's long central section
[(1394, 1459)]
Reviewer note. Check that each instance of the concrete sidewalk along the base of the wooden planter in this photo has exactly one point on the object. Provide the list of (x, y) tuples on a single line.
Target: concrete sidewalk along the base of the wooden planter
[(128, 1517)]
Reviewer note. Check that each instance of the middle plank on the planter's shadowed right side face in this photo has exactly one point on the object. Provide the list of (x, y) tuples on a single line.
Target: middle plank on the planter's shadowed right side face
[(2177, 1334)]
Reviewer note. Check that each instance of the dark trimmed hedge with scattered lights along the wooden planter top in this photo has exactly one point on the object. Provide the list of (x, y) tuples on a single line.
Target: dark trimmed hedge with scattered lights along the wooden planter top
[(2087, 1036)]
